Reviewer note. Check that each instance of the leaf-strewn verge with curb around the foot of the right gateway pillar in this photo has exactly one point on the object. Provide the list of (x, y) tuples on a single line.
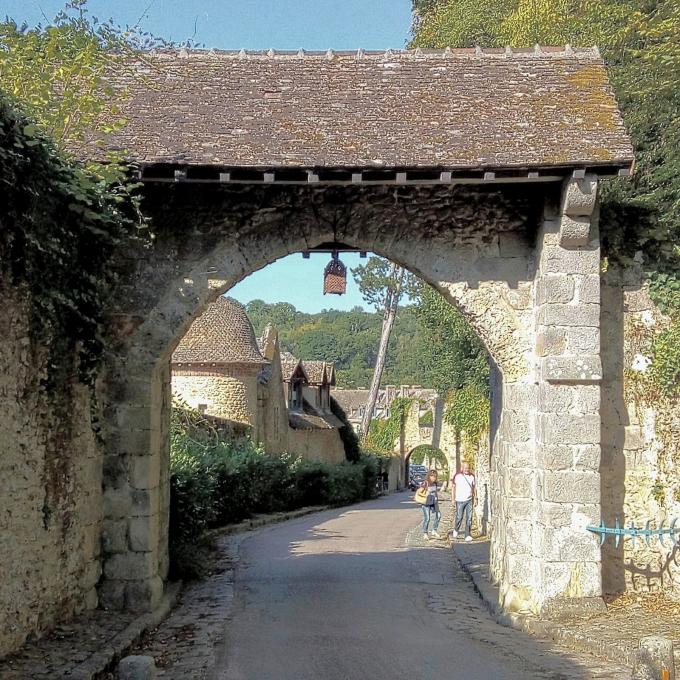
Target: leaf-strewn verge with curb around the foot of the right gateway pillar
[(610, 636)]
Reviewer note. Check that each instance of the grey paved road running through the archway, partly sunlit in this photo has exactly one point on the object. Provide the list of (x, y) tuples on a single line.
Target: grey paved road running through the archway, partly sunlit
[(357, 594)]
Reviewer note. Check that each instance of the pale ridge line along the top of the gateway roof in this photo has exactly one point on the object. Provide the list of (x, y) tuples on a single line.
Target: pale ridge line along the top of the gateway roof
[(537, 51)]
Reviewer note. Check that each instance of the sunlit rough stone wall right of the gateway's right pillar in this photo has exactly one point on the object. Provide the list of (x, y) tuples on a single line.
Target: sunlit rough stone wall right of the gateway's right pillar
[(640, 440)]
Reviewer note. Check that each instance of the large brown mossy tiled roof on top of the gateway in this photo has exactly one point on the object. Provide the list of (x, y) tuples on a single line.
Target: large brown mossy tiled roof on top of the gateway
[(457, 109)]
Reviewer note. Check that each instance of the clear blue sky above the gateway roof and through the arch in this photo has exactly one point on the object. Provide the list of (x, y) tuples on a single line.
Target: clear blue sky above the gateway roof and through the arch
[(260, 24)]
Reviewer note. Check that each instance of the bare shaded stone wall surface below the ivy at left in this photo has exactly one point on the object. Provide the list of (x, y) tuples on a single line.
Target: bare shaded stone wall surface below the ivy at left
[(50, 491)]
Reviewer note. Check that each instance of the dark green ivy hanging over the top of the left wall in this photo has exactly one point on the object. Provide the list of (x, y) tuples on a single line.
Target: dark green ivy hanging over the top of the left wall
[(59, 228)]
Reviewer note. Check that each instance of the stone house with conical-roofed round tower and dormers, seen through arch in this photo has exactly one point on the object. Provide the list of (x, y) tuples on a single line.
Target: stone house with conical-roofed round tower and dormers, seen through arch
[(219, 368)]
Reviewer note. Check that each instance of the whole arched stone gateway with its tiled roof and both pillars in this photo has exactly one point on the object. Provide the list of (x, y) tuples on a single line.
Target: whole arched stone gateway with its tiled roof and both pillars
[(477, 170)]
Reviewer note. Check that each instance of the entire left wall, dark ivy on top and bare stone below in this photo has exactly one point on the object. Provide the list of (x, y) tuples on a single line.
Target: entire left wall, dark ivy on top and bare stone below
[(58, 227)]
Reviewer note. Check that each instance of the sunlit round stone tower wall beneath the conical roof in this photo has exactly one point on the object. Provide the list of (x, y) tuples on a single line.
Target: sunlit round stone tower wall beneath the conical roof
[(228, 392)]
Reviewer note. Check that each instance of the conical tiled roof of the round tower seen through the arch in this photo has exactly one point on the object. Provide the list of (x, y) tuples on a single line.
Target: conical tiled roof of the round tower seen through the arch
[(222, 334)]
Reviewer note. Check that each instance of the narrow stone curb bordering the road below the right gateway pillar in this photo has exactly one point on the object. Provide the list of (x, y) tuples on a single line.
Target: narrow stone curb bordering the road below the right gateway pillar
[(528, 623)]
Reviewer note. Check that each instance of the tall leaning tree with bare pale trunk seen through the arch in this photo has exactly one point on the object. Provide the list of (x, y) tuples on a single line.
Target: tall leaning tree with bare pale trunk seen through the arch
[(381, 284)]
